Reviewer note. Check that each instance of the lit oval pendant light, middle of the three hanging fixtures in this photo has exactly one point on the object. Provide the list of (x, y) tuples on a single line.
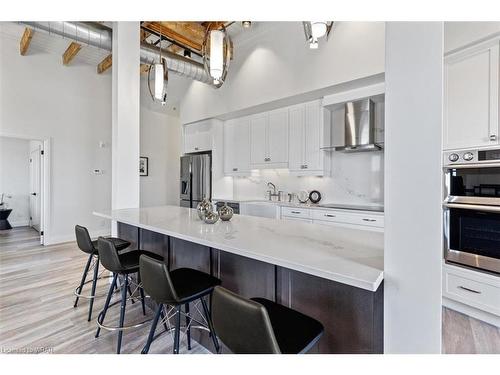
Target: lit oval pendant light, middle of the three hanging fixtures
[(216, 51)]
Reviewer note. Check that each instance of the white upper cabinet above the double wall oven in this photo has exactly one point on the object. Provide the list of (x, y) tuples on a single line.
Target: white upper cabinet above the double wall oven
[(471, 103)]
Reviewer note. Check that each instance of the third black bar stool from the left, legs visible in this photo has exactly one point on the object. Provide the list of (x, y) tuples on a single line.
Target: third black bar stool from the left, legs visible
[(177, 288)]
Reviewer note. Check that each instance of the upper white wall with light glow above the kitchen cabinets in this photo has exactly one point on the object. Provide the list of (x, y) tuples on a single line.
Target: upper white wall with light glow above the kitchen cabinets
[(273, 61)]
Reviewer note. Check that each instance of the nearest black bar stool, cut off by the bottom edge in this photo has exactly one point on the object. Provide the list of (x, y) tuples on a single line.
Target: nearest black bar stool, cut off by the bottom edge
[(260, 326)]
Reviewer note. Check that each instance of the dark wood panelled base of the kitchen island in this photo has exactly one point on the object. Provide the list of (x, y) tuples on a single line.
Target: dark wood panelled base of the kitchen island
[(352, 317)]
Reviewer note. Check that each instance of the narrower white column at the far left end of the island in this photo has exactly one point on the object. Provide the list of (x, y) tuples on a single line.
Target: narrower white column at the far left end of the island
[(125, 115)]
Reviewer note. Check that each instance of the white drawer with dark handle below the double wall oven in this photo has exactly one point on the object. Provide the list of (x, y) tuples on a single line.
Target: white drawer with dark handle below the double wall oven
[(474, 292)]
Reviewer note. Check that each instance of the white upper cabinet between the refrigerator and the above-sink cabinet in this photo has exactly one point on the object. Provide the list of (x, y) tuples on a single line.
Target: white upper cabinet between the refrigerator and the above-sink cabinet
[(237, 147)]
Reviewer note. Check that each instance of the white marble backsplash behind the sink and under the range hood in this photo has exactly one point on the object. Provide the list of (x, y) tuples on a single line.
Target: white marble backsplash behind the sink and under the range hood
[(355, 178)]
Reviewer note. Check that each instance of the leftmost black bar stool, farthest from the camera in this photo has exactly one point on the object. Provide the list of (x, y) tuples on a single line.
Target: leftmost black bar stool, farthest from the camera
[(91, 247)]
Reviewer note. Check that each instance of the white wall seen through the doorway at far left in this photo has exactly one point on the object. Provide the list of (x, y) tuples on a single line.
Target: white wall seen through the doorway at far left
[(14, 178)]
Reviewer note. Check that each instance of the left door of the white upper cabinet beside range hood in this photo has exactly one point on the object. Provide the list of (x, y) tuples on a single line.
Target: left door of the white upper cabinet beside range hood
[(296, 145)]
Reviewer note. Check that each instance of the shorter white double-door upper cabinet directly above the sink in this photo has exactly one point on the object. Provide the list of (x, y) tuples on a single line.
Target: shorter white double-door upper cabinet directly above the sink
[(269, 140)]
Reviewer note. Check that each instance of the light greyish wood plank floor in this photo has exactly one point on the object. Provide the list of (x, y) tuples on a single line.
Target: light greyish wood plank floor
[(37, 314)]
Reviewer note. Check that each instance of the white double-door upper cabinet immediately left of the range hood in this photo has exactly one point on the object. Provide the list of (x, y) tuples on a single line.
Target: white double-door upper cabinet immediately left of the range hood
[(306, 138)]
